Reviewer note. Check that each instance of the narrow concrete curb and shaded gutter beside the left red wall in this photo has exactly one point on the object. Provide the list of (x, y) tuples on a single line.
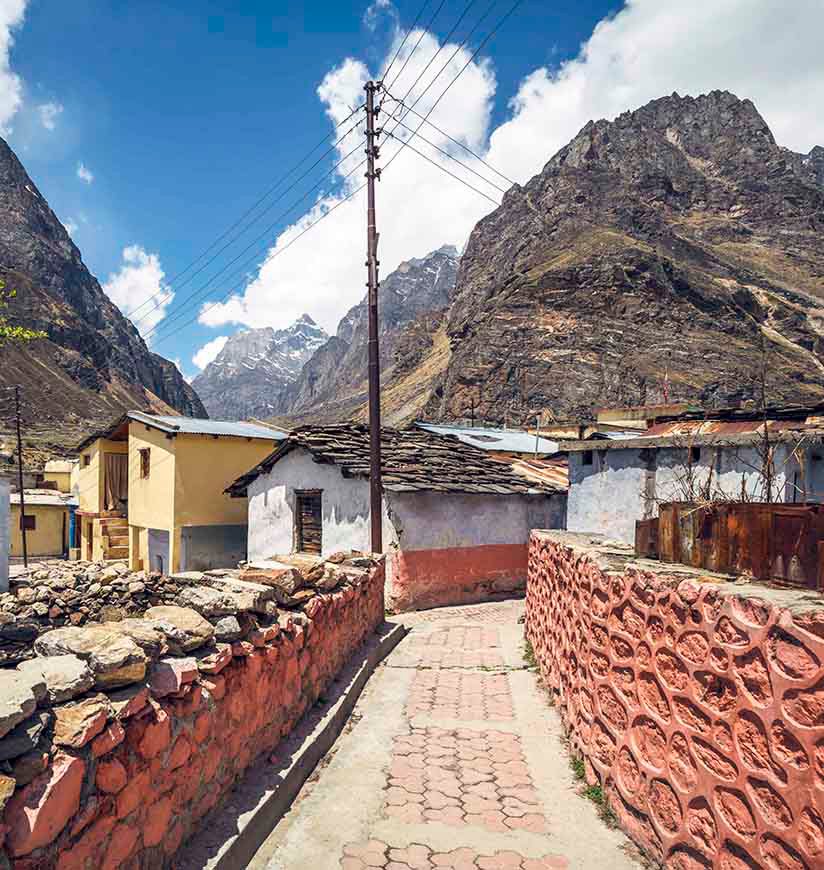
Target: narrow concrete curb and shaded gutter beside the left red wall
[(264, 795)]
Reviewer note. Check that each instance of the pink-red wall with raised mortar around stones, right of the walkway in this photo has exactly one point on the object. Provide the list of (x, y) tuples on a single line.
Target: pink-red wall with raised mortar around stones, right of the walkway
[(698, 704)]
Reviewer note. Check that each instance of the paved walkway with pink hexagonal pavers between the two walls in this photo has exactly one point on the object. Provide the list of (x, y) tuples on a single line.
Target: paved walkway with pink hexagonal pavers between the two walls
[(452, 760)]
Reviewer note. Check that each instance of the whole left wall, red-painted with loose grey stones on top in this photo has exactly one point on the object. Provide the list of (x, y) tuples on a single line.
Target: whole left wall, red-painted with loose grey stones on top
[(119, 737)]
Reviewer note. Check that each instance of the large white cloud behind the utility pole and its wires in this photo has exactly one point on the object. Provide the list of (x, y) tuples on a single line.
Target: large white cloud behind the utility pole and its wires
[(419, 208)]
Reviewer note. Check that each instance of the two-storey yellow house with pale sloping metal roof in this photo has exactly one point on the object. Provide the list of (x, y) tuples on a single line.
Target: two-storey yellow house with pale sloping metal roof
[(163, 504)]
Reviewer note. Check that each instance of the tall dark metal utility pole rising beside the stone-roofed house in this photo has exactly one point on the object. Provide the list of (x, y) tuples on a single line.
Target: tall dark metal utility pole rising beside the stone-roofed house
[(375, 483)]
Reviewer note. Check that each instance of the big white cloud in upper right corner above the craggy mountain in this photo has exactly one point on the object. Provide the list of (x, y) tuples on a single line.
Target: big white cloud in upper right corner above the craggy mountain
[(767, 51)]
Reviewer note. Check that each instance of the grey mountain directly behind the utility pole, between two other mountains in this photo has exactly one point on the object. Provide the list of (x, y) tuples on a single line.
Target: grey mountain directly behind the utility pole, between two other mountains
[(332, 384)]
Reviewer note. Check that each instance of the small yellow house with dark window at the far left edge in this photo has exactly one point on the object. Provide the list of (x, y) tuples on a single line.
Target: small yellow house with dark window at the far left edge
[(47, 523)]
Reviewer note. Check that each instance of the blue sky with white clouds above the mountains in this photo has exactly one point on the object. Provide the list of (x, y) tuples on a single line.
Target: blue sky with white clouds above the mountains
[(183, 113)]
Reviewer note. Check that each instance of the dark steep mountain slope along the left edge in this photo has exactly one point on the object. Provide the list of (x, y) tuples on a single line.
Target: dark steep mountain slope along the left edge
[(93, 363)]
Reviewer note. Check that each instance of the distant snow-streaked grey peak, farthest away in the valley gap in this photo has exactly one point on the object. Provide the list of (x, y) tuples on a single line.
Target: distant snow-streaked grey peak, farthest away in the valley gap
[(250, 374)]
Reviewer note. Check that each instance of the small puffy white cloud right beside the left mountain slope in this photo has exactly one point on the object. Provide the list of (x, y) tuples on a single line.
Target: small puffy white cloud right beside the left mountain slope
[(138, 286)]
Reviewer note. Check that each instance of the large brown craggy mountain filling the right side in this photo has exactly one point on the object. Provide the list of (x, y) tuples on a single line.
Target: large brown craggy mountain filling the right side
[(674, 252)]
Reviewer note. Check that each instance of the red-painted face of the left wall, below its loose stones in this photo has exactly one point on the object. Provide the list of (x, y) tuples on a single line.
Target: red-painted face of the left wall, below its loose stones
[(137, 785)]
